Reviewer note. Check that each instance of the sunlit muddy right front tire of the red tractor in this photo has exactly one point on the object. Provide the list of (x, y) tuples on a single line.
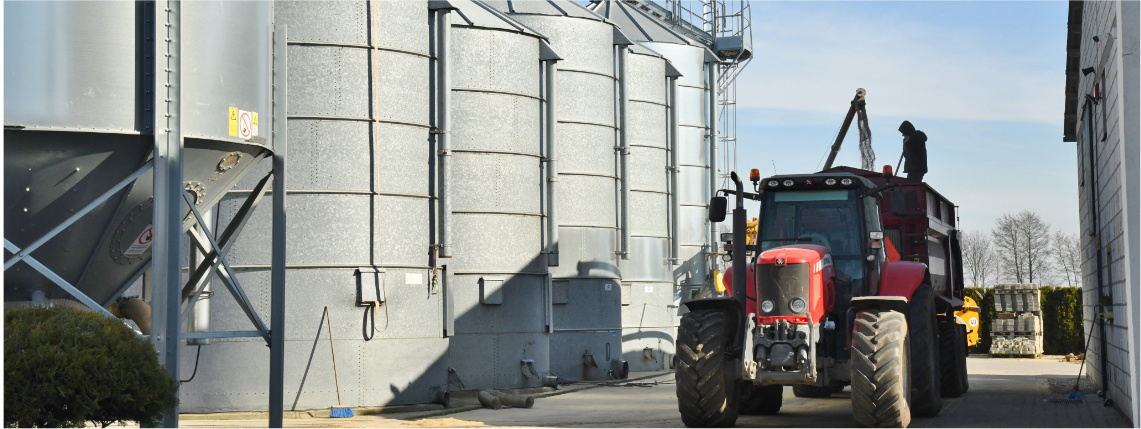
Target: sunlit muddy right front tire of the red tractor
[(881, 370)]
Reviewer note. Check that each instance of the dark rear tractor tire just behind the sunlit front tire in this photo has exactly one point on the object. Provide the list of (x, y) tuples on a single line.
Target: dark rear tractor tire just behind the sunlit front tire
[(922, 327)]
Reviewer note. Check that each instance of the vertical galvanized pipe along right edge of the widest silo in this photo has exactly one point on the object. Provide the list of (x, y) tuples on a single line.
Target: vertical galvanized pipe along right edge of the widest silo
[(443, 127)]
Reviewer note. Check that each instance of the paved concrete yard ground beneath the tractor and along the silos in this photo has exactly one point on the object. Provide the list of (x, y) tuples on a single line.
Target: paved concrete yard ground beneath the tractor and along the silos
[(1005, 393)]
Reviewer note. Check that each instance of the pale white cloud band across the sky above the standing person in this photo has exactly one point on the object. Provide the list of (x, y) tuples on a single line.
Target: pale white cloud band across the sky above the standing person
[(813, 60)]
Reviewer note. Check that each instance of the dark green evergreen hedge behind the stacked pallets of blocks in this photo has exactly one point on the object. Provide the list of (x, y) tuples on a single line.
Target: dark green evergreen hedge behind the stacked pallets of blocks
[(1062, 319)]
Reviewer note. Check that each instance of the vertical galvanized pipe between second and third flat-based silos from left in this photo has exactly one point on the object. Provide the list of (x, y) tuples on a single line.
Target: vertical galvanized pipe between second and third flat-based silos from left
[(552, 69)]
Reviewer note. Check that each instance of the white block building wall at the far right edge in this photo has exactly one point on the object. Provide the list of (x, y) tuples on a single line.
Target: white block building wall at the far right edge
[(1116, 166)]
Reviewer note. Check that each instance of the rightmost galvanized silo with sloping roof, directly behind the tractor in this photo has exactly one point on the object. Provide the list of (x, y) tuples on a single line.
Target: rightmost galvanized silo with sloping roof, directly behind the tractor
[(693, 61)]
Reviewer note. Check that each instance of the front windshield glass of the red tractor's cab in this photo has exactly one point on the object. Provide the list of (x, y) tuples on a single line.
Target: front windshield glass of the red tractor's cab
[(829, 217)]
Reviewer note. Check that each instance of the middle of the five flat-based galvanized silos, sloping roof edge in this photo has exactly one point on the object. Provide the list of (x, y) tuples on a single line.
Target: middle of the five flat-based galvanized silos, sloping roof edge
[(586, 292)]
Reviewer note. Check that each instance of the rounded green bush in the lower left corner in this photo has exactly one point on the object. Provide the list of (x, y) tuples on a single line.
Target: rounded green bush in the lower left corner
[(64, 368)]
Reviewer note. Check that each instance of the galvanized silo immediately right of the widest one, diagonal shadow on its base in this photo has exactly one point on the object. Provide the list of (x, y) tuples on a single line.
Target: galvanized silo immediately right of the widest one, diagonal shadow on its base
[(498, 271)]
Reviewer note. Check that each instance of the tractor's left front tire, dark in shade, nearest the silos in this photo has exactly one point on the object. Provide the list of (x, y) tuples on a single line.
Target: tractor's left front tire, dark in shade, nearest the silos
[(707, 385)]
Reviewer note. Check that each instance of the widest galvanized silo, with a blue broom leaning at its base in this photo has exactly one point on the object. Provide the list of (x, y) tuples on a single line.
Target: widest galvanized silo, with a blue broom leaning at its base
[(359, 228)]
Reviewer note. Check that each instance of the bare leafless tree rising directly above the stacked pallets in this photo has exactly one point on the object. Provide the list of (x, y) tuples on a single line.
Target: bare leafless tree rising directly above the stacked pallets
[(1023, 244)]
